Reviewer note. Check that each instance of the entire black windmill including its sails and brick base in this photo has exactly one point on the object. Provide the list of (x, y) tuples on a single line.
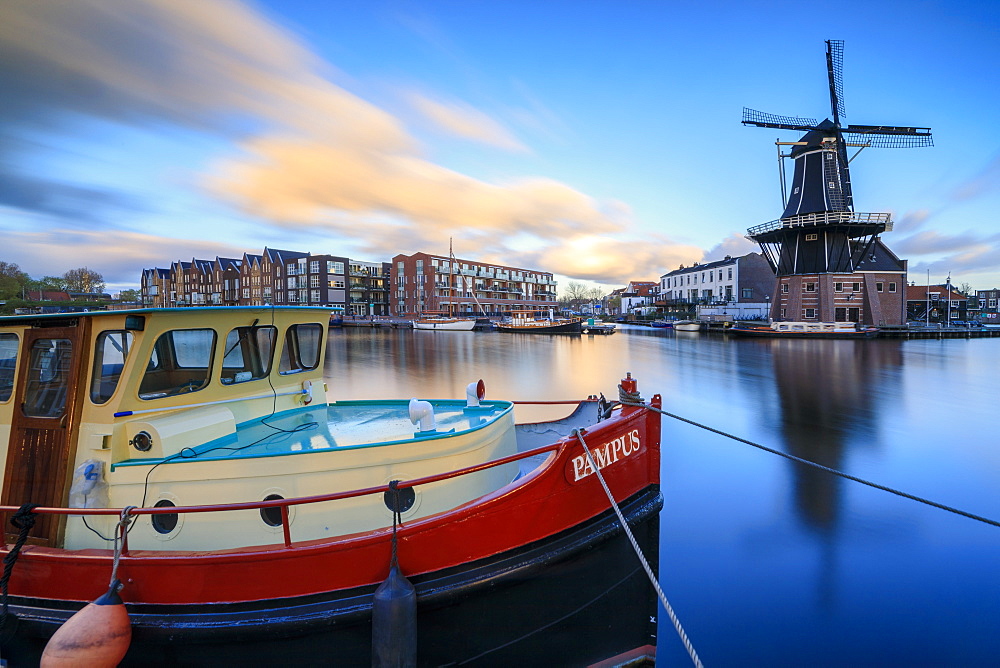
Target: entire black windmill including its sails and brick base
[(828, 258)]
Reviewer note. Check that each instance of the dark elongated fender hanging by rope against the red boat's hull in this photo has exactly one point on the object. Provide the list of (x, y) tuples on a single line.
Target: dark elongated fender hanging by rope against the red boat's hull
[(394, 609)]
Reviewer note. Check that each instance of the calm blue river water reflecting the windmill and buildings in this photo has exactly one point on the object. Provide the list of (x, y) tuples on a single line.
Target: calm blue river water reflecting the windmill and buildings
[(767, 562)]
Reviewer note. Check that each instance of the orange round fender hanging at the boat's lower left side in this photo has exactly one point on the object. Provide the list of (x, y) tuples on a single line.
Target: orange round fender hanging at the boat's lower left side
[(96, 636)]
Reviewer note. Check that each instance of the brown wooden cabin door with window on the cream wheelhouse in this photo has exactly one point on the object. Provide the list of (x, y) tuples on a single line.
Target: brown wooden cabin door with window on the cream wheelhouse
[(44, 425)]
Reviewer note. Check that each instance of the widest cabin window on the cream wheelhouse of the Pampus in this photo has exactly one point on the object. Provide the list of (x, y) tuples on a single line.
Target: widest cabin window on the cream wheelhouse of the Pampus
[(181, 362)]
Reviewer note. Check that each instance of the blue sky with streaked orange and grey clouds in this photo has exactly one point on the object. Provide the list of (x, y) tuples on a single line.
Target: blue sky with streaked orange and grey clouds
[(596, 139)]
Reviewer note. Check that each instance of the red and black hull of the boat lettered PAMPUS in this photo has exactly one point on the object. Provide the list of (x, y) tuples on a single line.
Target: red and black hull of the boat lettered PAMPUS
[(551, 537)]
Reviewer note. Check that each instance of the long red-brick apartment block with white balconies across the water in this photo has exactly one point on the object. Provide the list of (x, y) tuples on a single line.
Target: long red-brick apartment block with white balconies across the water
[(423, 282)]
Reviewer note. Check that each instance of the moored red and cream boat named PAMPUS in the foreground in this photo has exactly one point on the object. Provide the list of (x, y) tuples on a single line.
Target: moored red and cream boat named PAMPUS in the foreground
[(182, 469)]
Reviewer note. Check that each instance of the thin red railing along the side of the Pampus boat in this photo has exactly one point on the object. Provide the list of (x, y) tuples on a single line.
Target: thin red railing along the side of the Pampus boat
[(285, 504)]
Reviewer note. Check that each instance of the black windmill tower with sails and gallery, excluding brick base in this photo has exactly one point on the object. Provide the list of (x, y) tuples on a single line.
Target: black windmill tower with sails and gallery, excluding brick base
[(819, 230)]
